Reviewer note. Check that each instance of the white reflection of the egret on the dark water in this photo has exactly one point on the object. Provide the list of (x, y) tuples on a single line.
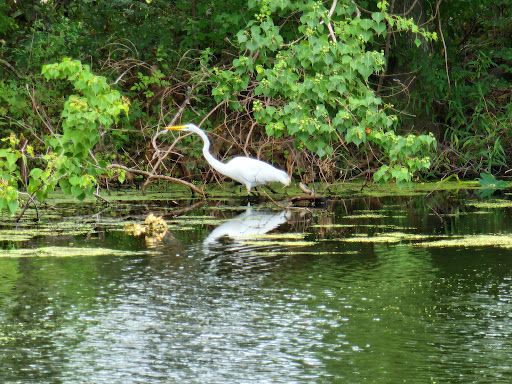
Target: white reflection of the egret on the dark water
[(249, 223)]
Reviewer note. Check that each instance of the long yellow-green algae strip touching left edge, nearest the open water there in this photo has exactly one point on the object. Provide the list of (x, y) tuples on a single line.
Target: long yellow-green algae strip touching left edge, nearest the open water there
[(66, 252)]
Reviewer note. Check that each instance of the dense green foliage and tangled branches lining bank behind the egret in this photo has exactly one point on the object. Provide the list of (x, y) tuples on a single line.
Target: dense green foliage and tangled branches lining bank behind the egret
[(326, 89)]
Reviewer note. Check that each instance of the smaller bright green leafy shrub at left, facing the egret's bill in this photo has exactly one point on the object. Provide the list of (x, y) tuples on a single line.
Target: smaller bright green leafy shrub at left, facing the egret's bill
[(69, 159)]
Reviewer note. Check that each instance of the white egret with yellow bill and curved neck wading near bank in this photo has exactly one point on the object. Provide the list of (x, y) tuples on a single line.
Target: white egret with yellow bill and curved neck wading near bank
[(247, 171)]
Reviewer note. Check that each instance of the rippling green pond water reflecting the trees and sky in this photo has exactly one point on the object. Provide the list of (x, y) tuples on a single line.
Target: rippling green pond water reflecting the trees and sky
[(209, 309)]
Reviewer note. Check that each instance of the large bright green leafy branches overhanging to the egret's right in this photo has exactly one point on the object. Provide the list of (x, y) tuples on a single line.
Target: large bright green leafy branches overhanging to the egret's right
[(313, 84)]
